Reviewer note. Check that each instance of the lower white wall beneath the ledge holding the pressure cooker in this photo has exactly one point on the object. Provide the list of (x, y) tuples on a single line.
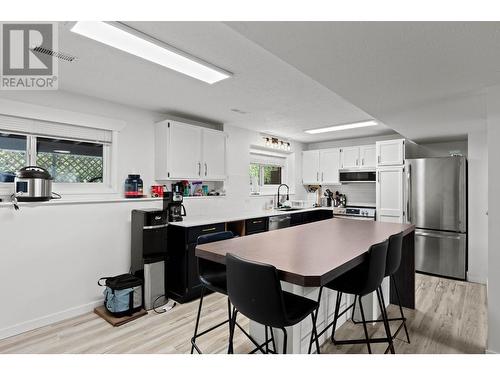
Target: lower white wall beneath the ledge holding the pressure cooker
[(52, 257)]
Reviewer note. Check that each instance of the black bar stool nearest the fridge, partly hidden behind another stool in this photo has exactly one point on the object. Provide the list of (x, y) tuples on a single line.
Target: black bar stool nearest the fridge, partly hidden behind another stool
[(394, 253)]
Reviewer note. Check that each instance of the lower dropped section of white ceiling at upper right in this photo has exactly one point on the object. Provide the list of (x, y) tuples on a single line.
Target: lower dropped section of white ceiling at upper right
[(426, 80)]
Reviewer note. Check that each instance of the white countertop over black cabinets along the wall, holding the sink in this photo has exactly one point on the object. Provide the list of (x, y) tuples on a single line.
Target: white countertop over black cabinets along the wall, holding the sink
[(196, 220)]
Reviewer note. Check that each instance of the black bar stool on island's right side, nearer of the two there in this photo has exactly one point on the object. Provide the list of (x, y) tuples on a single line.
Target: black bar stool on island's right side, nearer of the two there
[(361, 280)]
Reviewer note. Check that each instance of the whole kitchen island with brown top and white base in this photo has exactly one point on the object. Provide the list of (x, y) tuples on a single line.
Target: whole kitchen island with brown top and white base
[(310, 255)]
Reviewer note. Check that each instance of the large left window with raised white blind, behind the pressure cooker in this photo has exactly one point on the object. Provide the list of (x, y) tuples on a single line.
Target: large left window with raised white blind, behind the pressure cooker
[(78, 158)]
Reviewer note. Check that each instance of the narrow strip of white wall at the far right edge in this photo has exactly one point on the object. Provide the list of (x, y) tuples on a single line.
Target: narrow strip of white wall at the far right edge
[(493, 118)]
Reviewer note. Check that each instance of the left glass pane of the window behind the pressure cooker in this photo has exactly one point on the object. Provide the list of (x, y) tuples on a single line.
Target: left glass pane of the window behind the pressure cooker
[(12, 155)]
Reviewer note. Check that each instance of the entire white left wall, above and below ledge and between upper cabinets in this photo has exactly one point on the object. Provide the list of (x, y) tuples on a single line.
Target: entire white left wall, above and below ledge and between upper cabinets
[(53, 255)]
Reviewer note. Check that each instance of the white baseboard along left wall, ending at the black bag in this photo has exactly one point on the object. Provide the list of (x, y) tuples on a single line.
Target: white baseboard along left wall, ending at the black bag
[(48, 319)]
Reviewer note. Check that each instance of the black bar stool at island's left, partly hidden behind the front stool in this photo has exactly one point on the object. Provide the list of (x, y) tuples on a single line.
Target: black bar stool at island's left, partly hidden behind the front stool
[(213, 277)]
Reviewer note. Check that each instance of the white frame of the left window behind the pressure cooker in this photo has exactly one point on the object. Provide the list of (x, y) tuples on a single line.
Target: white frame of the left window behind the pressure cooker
[(108, 186)]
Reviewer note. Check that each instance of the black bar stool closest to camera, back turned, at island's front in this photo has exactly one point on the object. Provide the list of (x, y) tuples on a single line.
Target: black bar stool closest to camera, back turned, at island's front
[(255, 291)]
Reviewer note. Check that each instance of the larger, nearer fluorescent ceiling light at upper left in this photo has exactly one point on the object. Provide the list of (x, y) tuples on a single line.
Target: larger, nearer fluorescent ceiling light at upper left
[(122, 37)]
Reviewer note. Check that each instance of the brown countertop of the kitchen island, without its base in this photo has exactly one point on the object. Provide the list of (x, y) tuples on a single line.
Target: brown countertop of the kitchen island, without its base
[(310, 254)]
